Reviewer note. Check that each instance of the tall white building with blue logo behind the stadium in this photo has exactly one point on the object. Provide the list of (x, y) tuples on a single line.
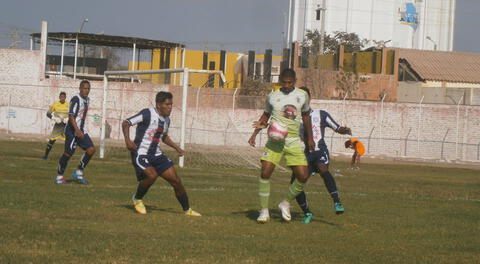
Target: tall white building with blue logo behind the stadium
[(418, 24)]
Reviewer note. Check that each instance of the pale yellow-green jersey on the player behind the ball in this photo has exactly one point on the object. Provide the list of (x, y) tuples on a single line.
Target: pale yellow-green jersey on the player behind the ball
[(287, 108)]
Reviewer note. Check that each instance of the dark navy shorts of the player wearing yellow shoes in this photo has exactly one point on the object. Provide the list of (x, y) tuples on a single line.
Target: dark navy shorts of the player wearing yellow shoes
[(161, 163)]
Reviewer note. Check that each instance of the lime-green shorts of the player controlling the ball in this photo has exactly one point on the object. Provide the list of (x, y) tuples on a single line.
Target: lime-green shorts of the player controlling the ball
[(291, 149)]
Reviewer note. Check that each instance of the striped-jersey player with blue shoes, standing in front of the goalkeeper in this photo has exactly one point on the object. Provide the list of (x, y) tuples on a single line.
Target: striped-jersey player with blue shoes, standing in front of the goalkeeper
[(76, 134)]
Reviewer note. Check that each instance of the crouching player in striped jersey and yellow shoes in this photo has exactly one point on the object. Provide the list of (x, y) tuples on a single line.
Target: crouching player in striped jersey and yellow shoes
[(148, 160)]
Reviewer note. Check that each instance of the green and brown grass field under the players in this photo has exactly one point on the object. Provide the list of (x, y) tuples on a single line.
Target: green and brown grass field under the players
[(394, 214)]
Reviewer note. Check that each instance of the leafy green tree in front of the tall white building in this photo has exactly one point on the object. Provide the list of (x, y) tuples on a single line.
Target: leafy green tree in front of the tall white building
[(351, 41)]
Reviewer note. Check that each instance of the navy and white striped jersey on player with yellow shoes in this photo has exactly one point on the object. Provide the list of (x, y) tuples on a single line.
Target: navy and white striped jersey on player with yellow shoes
[(151, 128)]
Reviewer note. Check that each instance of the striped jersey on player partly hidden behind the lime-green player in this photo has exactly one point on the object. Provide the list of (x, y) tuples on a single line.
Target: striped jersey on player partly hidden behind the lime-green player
[(320, 120)]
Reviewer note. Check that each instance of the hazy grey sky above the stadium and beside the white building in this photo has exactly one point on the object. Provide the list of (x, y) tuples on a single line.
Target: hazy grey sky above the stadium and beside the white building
[(236, 25)]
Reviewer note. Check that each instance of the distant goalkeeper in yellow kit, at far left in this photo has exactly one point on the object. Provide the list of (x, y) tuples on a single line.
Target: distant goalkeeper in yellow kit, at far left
[(58, 112)]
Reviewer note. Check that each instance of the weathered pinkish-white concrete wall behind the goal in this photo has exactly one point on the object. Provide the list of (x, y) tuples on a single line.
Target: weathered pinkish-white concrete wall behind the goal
[(215, 118)]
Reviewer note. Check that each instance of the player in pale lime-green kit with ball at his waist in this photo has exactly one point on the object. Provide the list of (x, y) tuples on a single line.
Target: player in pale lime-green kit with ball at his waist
[(288, 105)]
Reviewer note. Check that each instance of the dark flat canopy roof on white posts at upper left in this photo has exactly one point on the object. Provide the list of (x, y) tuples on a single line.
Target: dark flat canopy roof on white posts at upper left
[(108, 40)]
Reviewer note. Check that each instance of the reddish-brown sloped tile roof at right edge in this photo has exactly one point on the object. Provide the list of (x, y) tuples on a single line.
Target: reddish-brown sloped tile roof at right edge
[(443, 66)]
